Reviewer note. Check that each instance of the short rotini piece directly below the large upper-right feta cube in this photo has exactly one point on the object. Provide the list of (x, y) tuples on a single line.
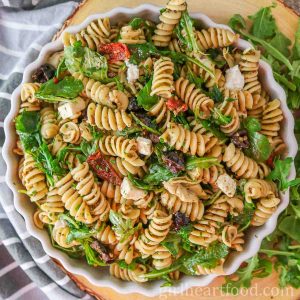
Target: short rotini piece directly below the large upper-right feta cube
[(244, 100)]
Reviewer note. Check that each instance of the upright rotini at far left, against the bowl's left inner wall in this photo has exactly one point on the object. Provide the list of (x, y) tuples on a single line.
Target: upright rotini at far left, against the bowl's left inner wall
[(33, 179)]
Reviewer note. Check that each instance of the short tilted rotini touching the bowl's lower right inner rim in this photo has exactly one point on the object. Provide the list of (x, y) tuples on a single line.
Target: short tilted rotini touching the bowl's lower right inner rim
[(265, 207)]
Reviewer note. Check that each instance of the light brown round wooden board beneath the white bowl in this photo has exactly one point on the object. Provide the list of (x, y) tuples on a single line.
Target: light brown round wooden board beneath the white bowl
[(220, 11)]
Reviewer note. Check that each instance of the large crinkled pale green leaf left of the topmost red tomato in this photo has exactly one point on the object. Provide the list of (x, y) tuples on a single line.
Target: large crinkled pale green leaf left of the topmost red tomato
[(86, 61)]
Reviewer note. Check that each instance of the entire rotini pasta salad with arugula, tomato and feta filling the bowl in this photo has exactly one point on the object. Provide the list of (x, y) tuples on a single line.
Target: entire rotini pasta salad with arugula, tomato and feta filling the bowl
[(147, 145)]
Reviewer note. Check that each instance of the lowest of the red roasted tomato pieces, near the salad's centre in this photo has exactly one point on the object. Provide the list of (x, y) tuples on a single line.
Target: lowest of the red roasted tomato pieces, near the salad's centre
[(103, 168)]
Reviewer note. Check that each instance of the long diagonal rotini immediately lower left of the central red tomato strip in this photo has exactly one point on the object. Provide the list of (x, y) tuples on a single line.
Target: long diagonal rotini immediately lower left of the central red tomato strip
[(90, 191)]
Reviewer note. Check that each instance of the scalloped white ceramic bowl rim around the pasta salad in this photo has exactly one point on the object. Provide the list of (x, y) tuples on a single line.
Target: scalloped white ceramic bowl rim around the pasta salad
[(101, 277)]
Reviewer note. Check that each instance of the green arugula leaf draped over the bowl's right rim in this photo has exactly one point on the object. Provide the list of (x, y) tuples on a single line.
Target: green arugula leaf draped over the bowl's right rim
[(281, 172)]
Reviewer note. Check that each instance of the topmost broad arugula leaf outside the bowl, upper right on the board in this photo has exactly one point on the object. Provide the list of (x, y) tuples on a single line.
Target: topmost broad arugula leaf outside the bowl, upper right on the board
[(264, 25)]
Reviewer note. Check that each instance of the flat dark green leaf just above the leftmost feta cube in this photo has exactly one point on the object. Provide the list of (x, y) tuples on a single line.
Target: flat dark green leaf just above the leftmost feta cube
[(65, 90)]
